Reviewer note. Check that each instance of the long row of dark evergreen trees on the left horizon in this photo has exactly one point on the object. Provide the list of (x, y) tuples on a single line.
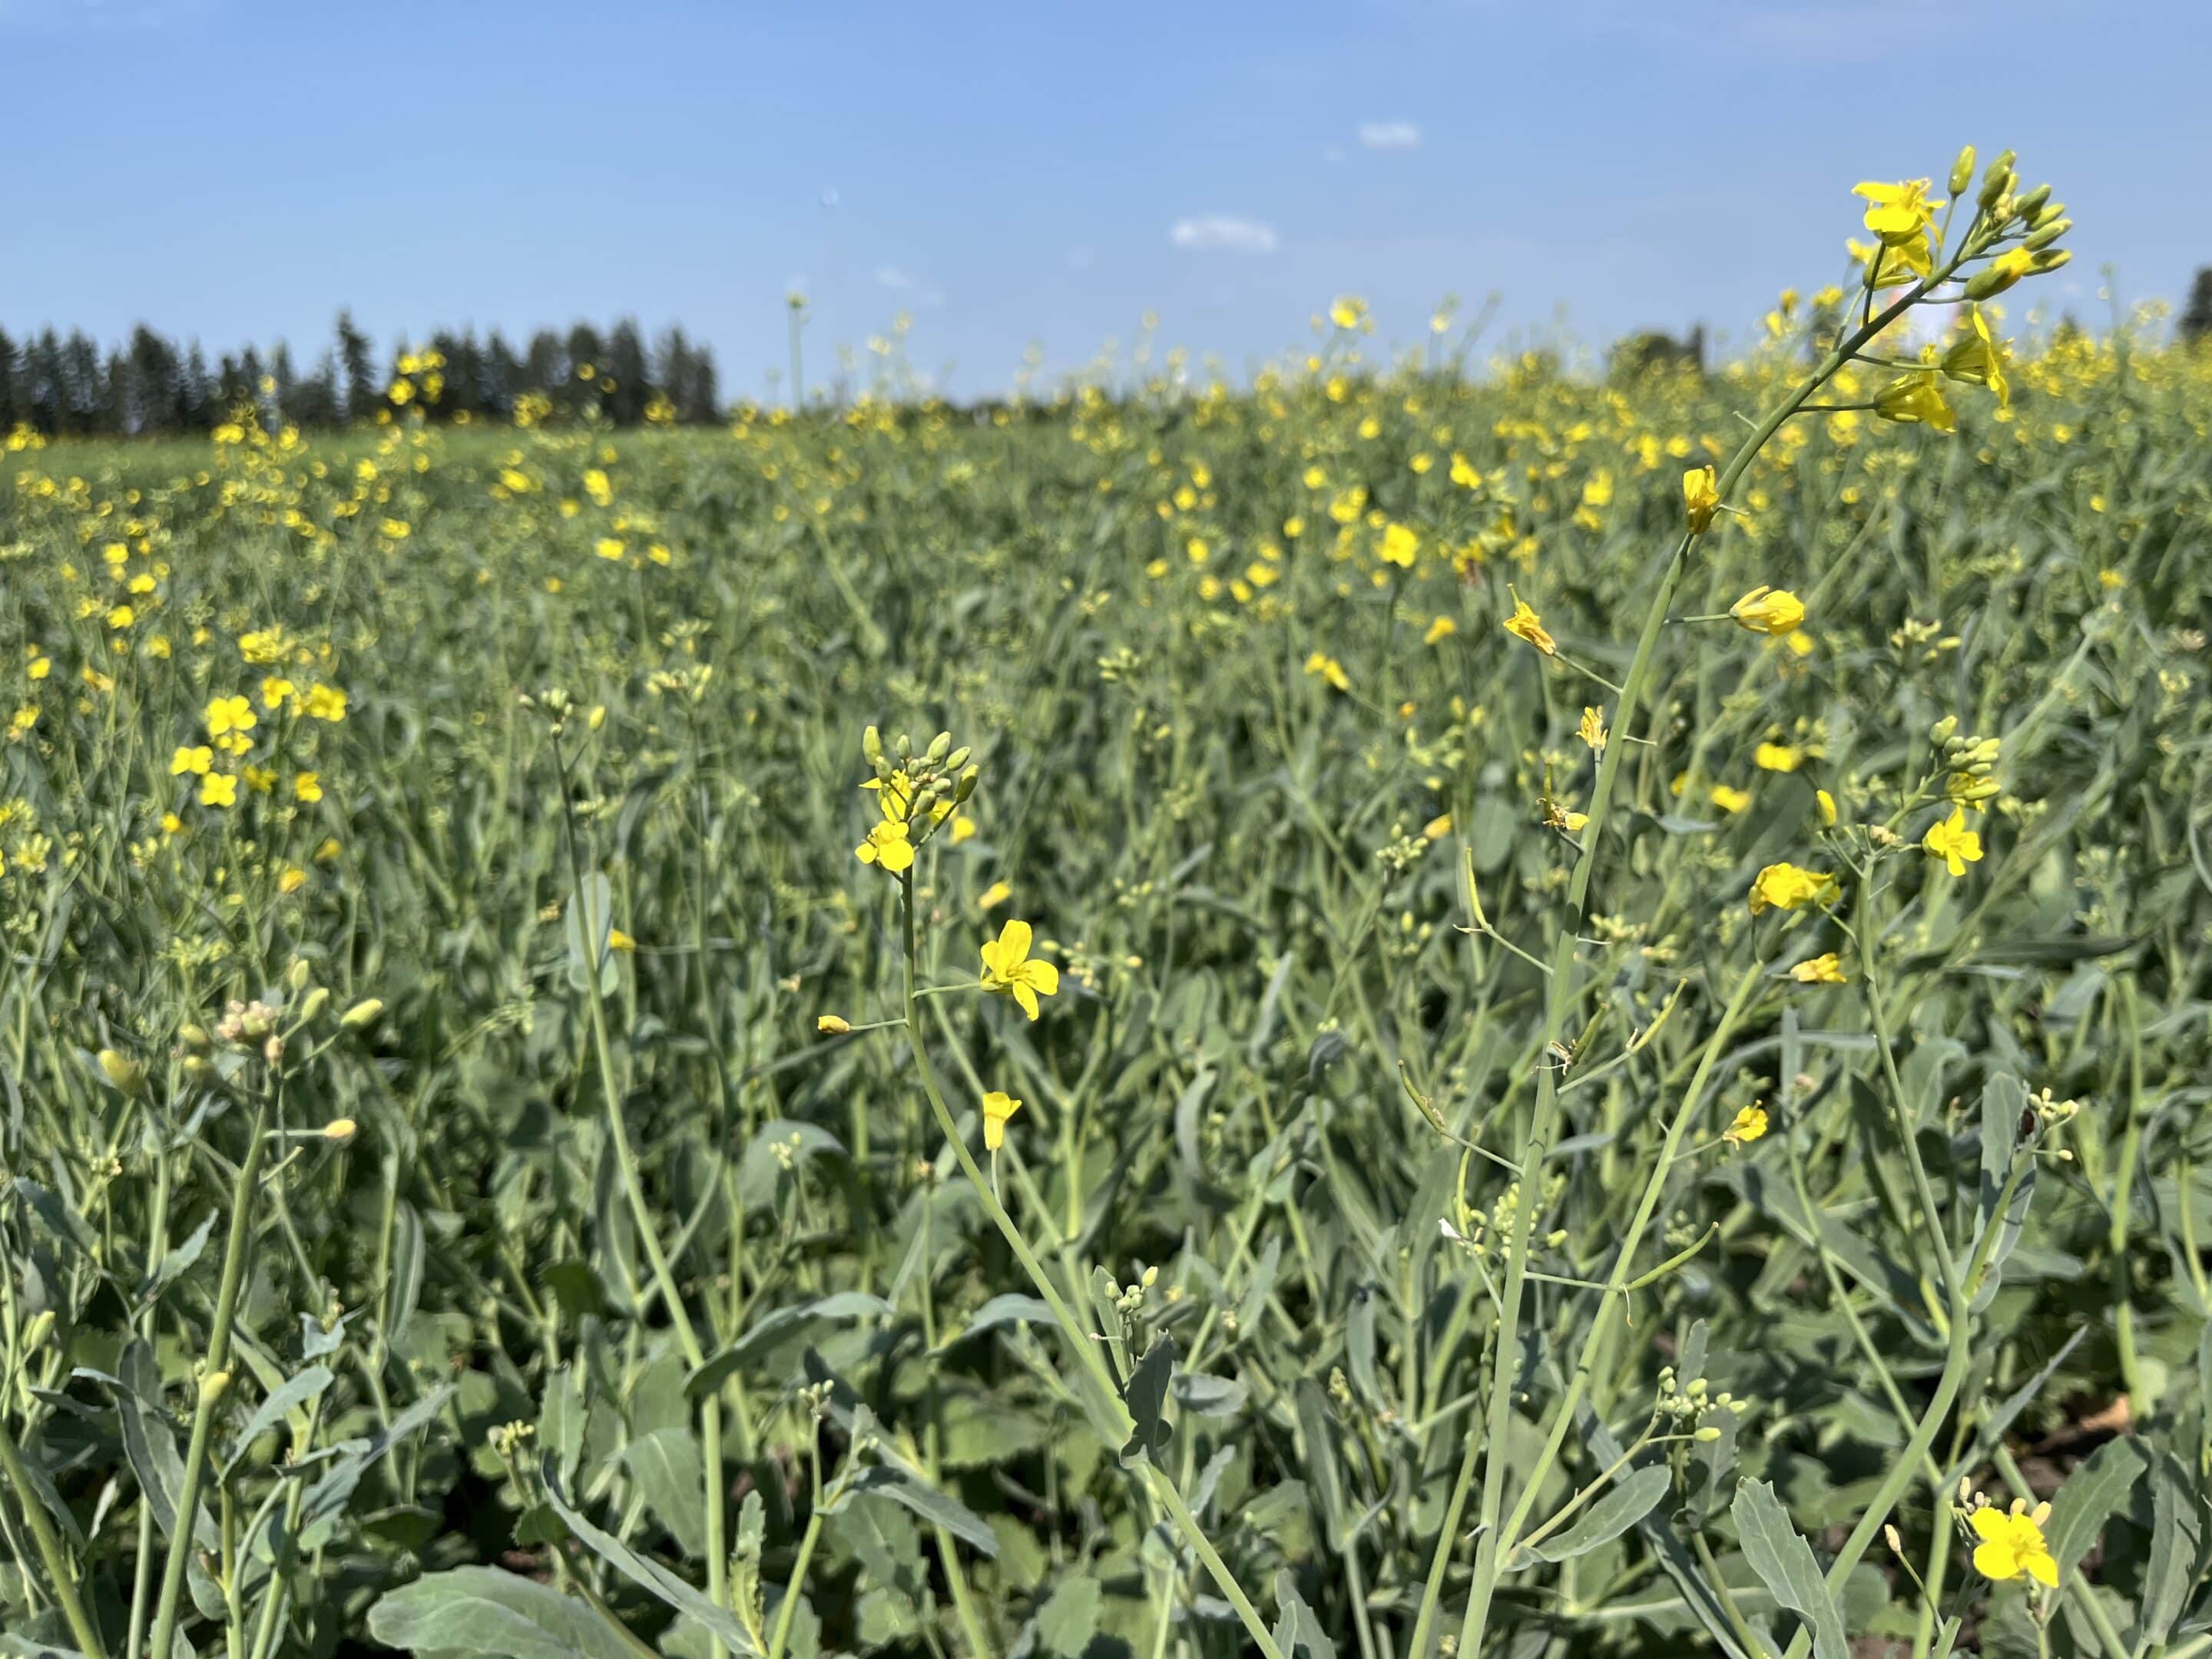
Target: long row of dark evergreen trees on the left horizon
[(67, 386)]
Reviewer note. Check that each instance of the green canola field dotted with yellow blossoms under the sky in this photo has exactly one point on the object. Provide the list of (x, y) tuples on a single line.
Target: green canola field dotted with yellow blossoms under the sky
[(1379, 1014)]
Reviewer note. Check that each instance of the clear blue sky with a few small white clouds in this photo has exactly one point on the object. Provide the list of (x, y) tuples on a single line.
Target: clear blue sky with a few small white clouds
[(1043, 176)]
